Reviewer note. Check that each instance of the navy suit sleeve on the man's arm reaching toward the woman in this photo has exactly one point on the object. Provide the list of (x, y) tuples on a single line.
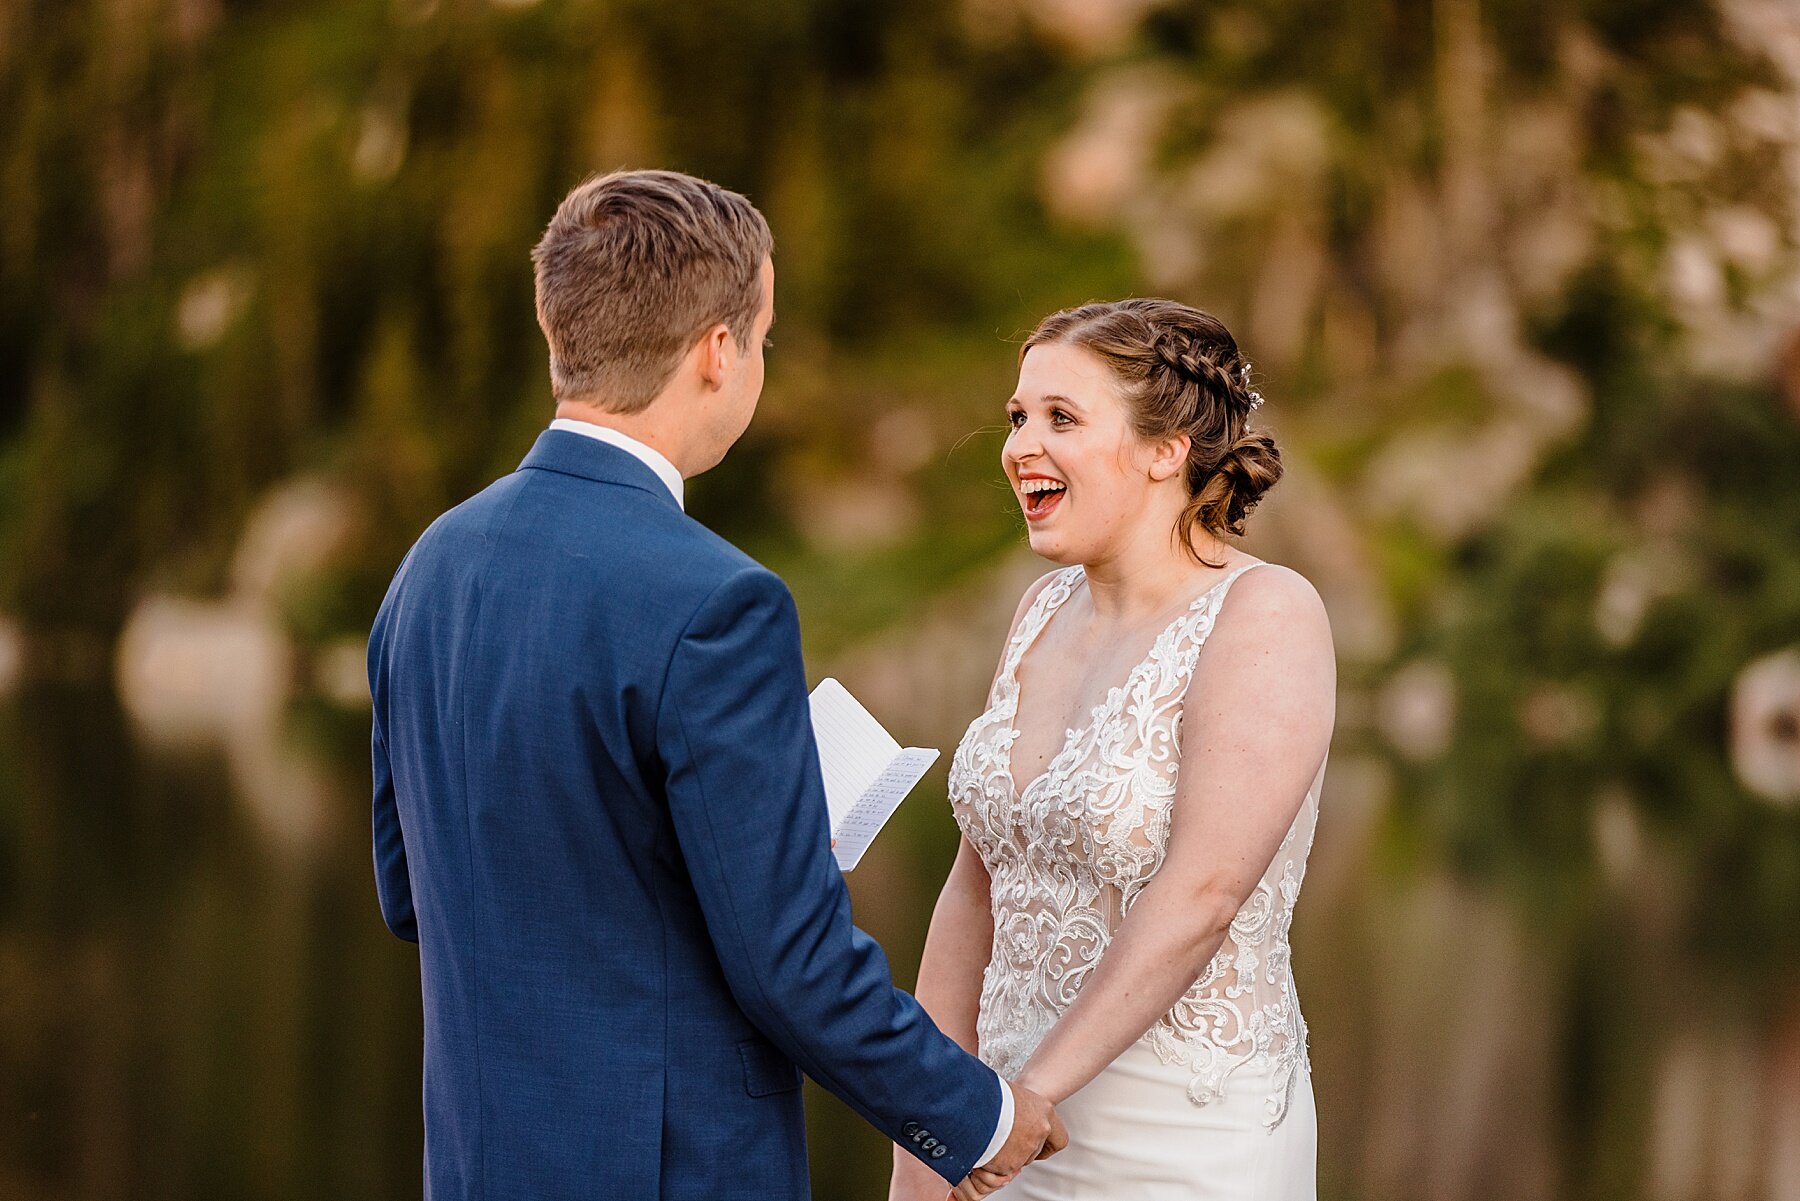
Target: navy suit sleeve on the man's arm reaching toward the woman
[(748, 806)]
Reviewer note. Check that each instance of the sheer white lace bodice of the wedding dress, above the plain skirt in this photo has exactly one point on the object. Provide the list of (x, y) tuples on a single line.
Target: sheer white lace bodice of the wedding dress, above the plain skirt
[(1074, 851)]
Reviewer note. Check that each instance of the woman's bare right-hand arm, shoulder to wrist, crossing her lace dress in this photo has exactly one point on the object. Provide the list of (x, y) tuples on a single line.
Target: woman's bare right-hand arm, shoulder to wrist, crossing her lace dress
[(1254, 732)]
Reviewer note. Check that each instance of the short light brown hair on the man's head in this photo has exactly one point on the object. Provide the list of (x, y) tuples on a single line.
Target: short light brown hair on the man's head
[(633, 269)]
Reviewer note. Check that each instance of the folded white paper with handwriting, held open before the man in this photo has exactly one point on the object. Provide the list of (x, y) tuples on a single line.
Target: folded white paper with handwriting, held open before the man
[(867, 773)]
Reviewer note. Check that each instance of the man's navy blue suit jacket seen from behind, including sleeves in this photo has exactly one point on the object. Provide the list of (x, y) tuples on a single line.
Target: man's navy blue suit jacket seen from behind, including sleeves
[(598, 813)]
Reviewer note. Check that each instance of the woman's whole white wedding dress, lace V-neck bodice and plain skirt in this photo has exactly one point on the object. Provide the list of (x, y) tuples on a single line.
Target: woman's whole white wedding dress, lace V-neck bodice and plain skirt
[(1216, 1099)]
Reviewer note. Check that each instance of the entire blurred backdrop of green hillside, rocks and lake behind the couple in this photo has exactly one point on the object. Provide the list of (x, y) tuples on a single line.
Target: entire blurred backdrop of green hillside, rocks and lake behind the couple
[(1520, 282)]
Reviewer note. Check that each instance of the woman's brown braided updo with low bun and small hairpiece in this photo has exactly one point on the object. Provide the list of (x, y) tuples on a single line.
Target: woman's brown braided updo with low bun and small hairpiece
[(1182, 372)]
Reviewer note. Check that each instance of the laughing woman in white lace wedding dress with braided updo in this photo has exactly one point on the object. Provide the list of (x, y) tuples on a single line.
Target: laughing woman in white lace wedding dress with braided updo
[(1115, 932)]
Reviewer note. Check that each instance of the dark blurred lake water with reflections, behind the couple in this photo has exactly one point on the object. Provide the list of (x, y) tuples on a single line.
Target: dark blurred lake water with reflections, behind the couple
[(202, 1006)]
